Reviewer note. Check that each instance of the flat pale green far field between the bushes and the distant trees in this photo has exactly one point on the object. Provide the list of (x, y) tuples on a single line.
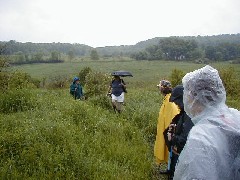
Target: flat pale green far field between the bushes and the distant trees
[(147, 73)]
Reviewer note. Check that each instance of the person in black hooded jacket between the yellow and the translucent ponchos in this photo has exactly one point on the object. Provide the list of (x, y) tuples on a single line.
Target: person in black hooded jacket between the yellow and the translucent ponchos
[(177, 132)]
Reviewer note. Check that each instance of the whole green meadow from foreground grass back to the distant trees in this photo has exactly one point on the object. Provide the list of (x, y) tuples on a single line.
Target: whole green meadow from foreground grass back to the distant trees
[(46, 134)]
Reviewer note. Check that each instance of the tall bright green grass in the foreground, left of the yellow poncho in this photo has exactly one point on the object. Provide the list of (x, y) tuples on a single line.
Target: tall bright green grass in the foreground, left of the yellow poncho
[(73, 140)]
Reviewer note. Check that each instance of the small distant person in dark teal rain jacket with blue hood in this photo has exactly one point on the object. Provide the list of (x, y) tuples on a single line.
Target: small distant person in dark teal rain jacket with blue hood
[(76, 89)]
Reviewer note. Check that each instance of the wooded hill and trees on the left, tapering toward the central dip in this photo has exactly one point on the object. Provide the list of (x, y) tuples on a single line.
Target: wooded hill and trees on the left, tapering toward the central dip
[(29, 53)]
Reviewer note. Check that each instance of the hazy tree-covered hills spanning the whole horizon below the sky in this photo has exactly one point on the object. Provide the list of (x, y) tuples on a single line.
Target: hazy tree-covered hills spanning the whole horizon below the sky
[(198, 48)]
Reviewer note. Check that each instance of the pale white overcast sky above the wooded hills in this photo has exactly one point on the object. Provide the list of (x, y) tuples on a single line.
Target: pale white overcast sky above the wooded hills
[(100, 23)]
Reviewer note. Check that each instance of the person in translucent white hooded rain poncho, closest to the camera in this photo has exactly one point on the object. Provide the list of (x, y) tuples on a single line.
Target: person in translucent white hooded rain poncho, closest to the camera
[(212, 150)]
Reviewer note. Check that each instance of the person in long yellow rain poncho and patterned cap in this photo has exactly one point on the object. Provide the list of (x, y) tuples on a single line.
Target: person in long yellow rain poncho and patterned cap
[(168, 111)]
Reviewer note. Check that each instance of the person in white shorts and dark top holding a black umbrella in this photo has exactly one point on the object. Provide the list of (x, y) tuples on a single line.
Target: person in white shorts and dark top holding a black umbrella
[(116, 90)]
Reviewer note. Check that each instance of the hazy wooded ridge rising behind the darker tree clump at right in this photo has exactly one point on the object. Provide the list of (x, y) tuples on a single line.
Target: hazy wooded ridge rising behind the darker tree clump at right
[(149, 45)]
